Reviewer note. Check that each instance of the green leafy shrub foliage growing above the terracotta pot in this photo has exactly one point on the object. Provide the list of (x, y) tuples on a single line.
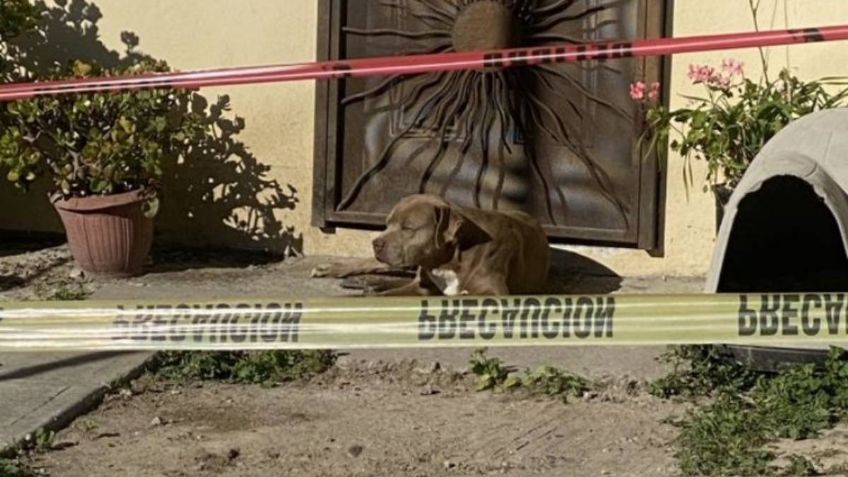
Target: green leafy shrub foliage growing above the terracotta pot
[(99, 143)]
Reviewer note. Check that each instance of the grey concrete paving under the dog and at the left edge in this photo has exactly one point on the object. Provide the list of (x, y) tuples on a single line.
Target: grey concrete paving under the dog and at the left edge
[(50, 390)]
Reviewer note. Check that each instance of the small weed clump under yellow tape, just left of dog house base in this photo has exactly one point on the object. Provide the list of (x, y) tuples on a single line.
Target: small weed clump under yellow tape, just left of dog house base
[(700, 371)]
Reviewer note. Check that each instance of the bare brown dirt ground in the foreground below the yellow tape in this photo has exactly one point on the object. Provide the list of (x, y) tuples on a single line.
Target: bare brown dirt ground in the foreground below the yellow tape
[(368, 419)]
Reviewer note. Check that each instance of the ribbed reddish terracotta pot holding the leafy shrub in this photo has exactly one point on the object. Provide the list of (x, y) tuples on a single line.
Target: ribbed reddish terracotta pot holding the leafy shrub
[(108, 235)]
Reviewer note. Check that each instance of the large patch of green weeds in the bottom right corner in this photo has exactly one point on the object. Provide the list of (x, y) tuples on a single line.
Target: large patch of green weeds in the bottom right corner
[(729, 436)]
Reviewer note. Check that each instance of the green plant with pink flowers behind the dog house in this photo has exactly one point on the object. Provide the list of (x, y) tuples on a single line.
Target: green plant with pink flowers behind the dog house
[(733, 120)]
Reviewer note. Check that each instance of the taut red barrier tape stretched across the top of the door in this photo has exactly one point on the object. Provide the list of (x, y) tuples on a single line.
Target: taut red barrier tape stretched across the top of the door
[(414, 64)]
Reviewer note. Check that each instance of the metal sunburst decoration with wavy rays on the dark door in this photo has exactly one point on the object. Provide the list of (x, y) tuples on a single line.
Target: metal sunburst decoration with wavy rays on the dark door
[(464, 107)]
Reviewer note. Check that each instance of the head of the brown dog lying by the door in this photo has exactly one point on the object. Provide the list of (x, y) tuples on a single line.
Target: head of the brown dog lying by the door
[(426, 231)]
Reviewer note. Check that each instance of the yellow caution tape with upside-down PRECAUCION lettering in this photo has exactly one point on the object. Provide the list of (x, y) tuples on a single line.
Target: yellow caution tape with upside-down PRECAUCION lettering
[(325, 323)]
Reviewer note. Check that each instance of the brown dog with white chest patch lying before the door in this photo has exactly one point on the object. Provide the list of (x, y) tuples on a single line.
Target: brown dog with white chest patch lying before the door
[(462, 251)]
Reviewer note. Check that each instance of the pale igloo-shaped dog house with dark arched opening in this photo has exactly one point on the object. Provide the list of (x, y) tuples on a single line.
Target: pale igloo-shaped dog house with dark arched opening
[(785, 225)]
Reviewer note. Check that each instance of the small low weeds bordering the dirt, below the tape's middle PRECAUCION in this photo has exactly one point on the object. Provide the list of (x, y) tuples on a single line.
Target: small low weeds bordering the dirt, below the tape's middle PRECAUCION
[(545, 381)]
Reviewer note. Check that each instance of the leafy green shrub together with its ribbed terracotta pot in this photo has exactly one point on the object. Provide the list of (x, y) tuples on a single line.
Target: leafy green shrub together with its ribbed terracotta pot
[(103, 153)]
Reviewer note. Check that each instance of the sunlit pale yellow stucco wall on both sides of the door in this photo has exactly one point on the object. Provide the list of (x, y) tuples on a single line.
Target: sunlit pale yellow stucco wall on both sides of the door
[(192, 34)]
